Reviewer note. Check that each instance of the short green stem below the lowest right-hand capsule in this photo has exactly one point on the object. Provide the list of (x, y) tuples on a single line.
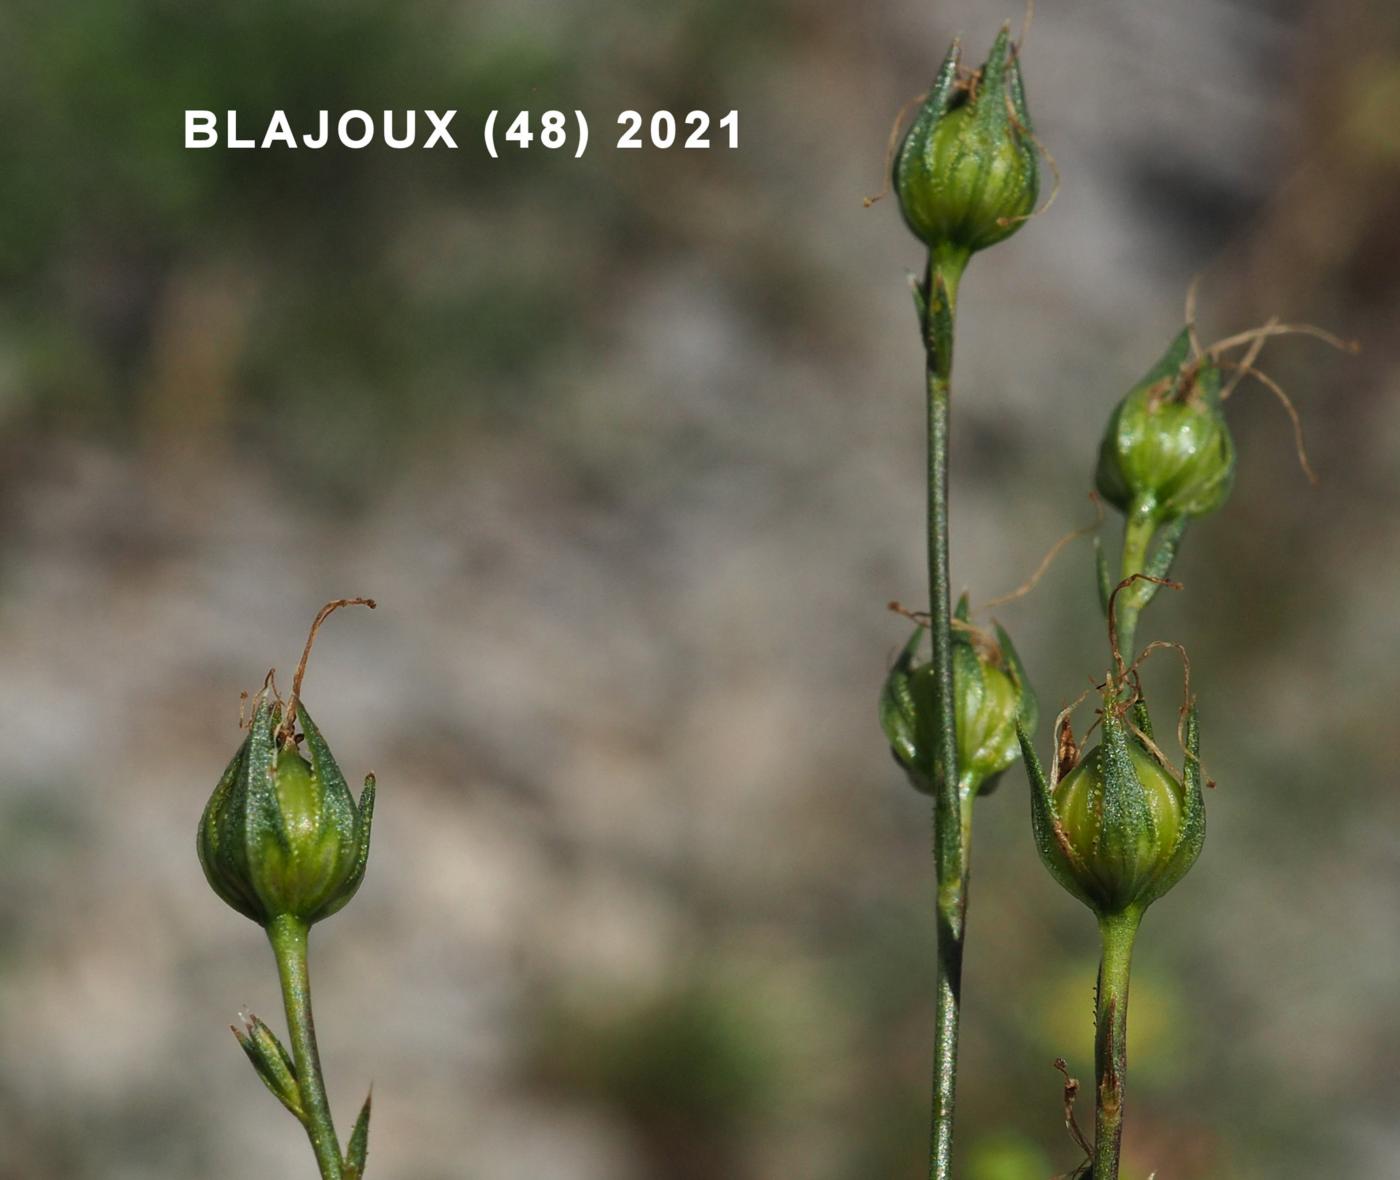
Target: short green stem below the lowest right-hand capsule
[(1111, 1045)]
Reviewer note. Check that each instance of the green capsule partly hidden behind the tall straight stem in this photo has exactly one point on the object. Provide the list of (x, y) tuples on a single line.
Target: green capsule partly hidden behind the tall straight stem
[(992, 696)]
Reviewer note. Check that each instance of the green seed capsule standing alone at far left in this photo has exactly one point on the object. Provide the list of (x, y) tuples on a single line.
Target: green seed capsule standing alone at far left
[(282, 835)]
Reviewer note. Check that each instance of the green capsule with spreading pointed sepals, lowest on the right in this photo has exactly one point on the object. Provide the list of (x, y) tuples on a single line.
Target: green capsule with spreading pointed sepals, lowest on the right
[(1119, 829)]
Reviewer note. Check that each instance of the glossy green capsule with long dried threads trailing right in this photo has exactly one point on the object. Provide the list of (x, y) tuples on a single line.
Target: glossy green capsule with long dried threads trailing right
[(1168, 453)]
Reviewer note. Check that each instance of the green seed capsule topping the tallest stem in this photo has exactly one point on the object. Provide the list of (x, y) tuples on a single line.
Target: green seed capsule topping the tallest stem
[(967, 173)]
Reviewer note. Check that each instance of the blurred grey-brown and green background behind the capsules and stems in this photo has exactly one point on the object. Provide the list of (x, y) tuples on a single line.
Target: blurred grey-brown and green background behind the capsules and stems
[(631, 451)]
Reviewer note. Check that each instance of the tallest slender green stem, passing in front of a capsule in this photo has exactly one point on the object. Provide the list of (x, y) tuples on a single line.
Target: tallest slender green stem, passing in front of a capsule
[(950, 852)]
